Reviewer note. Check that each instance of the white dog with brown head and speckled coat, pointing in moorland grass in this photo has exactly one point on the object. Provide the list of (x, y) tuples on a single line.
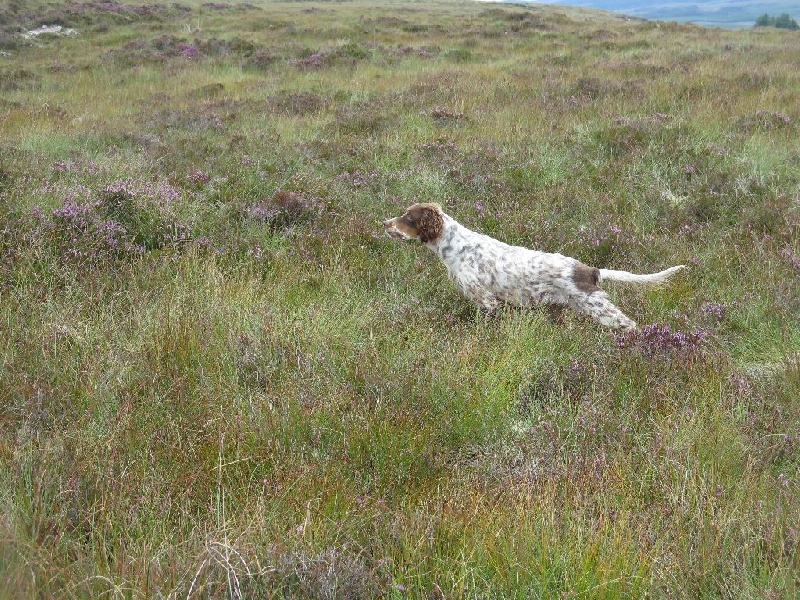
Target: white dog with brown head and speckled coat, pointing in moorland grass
[(492, 273)]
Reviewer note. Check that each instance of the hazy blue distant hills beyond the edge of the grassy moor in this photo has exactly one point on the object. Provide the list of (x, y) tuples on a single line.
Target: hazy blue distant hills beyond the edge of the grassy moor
[(713, 13)]
